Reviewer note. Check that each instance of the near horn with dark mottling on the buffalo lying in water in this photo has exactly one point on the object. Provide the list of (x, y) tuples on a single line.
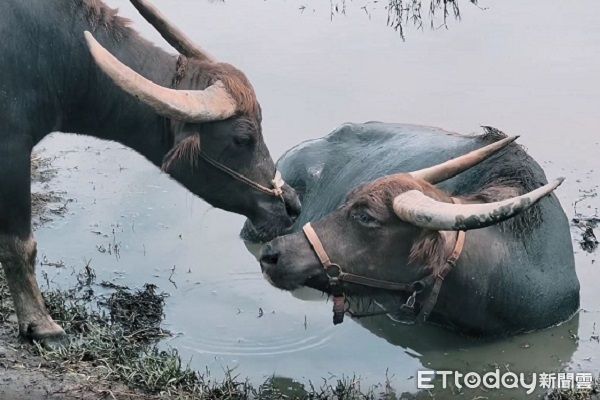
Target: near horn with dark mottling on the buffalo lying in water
[(420, 210)]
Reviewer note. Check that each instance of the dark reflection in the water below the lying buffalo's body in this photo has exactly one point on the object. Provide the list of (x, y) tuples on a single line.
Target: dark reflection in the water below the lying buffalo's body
[(441, 349)]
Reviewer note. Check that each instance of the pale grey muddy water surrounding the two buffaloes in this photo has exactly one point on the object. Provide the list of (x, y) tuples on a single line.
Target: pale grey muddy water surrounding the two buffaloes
[(528, 68)]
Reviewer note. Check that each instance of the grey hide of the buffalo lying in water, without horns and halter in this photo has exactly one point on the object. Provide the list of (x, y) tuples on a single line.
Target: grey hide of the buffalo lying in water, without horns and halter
[(517, 275)]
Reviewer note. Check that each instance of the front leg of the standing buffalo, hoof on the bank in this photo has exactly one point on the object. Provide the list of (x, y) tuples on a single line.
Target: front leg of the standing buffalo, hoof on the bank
[(17, 246)]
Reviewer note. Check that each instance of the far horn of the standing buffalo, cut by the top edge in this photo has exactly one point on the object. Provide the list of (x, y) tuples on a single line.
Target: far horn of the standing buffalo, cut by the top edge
[(170, 32)]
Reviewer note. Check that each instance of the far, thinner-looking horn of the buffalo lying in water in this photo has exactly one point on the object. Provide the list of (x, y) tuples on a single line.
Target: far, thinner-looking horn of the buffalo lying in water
[(451, 168)]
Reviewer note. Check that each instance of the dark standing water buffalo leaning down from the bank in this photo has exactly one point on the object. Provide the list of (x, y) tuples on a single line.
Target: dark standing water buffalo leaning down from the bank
[(75, 66)]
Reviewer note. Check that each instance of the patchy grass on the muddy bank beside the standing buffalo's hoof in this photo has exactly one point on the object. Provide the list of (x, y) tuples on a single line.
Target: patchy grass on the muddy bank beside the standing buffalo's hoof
[(118, 337)]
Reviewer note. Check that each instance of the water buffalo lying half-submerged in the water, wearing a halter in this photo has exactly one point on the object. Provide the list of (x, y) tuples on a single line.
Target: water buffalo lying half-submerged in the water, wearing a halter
[(378, 228)]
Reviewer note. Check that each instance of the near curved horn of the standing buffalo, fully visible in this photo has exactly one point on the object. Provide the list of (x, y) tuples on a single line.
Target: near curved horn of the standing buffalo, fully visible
[(211, 104)]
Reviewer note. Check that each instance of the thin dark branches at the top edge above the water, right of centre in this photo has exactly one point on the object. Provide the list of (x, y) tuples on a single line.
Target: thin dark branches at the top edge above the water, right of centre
[(404, 12)]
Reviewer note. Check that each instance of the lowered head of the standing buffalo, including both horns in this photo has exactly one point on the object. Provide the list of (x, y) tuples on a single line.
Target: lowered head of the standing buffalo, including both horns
[(214, 129)]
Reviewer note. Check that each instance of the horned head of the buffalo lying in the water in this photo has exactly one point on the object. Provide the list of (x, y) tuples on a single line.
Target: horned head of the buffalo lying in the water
[(397, 228)]
